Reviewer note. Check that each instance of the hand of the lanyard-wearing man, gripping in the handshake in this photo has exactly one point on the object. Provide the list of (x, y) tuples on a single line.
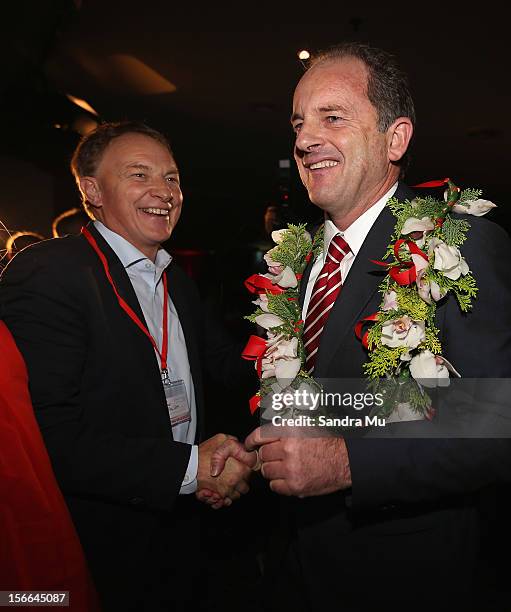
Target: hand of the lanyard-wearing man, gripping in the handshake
[(230, 483)]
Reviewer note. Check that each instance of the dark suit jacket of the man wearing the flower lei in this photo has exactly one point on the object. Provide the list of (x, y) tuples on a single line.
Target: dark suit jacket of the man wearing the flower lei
[(411, 506)]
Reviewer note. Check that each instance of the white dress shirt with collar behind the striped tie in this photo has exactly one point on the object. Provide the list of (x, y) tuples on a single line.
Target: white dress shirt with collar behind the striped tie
[(354, 235)]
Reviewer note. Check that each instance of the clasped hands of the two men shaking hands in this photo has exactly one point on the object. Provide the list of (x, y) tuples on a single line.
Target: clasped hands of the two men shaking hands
[(224, 470)]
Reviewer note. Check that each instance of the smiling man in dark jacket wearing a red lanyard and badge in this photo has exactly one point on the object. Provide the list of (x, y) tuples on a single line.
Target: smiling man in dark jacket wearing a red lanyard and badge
[(113, 338)]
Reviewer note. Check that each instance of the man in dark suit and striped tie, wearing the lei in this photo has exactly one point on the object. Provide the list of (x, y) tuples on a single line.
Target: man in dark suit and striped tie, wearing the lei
[(370, 521)]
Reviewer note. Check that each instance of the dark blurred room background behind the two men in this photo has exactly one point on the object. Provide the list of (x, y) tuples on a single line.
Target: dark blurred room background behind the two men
[(218, 81)]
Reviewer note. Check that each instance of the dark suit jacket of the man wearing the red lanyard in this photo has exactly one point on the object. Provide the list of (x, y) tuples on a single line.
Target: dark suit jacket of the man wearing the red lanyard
[(98, 399)]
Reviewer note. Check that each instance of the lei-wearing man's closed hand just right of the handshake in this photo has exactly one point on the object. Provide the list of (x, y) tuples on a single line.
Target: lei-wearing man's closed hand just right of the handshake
[(302, 466)]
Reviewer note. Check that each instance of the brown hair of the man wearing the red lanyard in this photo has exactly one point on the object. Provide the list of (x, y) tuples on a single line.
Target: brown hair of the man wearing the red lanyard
[(91, 148)]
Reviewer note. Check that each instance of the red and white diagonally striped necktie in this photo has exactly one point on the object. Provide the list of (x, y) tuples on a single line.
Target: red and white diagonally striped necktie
[(325, 292)]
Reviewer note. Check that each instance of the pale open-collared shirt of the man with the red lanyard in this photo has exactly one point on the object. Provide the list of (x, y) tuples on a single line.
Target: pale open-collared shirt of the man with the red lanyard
[(146, 278)]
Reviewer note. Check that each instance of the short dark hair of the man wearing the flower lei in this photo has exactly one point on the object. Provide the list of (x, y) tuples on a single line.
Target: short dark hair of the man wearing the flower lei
[(388, 88)]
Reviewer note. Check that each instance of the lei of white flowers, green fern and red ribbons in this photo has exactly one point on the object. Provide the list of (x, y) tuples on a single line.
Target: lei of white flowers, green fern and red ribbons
[(425, 265)]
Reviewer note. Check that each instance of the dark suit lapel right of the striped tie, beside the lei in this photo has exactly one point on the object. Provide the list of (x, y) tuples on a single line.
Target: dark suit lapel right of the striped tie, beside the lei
[(361, 285)]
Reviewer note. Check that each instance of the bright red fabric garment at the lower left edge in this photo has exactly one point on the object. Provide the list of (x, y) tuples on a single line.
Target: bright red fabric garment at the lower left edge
[(39, 547)]
